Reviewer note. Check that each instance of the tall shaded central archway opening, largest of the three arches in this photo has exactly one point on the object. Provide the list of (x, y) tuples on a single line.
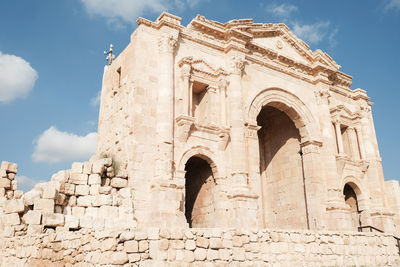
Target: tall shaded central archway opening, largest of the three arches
[(281, 168)]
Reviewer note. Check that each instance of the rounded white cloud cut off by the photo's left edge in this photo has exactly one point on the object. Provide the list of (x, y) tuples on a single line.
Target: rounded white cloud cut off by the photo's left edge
[(17, 77)]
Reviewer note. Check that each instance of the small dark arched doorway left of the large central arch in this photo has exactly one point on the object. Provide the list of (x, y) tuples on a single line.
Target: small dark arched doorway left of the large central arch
[(199, 193)]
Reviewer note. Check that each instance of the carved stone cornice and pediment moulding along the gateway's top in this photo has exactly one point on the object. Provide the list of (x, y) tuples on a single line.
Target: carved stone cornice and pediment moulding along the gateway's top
[(239, 35)]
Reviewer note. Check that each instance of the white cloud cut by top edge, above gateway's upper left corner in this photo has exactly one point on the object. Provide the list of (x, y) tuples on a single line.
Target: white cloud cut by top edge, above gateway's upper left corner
[(117, 11)]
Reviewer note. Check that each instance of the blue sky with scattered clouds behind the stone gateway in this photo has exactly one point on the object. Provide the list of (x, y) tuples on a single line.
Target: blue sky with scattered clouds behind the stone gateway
[(51, 65)]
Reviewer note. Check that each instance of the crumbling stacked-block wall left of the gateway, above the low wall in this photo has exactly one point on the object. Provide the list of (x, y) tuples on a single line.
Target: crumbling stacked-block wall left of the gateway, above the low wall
[(89, 196)]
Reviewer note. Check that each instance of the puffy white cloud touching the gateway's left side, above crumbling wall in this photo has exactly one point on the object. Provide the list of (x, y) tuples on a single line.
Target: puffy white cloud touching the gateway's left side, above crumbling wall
[(54, 146)]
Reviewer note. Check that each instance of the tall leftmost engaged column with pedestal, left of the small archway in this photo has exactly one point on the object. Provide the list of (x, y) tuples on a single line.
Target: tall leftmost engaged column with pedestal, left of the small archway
[(166, 192)]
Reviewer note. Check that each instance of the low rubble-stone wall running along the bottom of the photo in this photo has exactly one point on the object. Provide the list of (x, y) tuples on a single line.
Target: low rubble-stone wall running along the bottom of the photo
[(200, 247)]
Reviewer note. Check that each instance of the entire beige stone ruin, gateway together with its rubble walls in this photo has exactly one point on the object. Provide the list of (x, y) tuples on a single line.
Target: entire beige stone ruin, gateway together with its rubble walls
[(218, 145)]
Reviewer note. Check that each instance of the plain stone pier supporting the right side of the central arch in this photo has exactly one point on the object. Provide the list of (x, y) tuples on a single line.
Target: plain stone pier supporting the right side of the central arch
[(314, 187)]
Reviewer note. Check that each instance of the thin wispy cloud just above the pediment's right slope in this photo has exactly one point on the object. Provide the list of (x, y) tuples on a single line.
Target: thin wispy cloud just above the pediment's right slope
[(312, 33)]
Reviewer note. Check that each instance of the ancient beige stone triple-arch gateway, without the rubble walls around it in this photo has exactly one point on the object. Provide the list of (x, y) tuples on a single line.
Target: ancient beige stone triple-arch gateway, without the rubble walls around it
[(240, 125)]
